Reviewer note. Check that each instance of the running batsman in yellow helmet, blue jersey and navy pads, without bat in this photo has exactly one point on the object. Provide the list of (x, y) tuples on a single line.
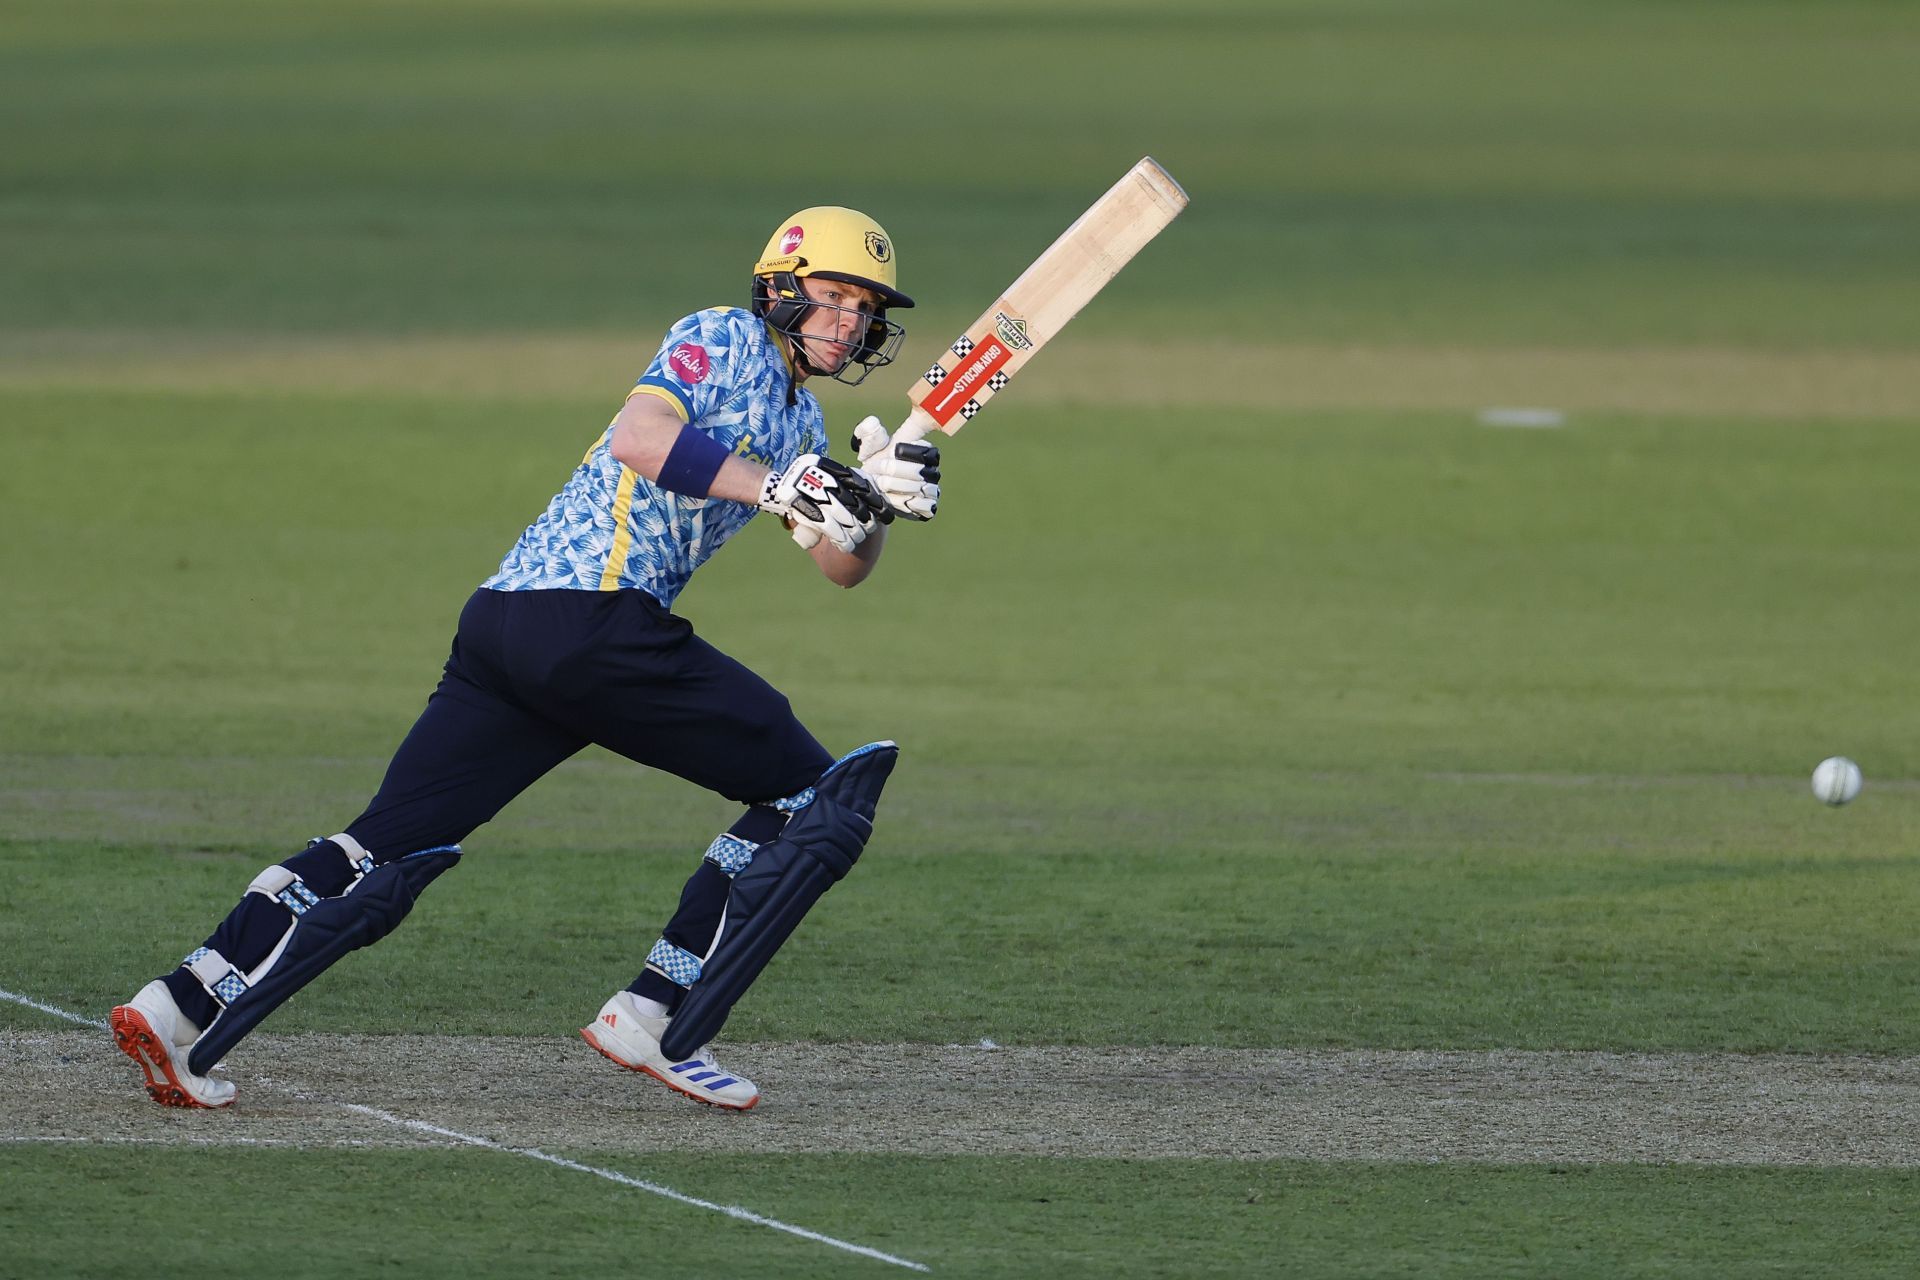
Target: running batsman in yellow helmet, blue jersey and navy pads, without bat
[(575, 642)]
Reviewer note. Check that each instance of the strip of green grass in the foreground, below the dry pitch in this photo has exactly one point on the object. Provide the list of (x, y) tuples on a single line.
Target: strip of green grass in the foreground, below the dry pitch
[(1082, 1220)]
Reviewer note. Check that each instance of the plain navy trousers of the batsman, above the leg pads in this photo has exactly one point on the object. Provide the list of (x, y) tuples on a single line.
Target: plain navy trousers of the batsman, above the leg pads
[(535, 676)]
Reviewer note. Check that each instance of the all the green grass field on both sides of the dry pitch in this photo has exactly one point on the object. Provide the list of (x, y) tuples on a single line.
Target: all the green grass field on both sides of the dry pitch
[(1245, 703)]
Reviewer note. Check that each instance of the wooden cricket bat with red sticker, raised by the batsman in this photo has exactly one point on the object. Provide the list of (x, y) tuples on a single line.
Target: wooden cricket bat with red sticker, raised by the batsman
[(1044, 300)]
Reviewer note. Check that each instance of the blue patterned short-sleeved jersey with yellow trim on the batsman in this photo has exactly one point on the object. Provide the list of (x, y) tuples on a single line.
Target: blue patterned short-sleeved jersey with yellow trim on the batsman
[(613, 529)]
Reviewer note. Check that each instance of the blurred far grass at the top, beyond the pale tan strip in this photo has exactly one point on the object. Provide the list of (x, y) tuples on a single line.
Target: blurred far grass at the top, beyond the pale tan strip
[(1374, 172)]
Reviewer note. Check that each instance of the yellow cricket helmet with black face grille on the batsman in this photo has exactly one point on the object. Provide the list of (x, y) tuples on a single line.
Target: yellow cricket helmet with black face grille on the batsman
[(832, 245)]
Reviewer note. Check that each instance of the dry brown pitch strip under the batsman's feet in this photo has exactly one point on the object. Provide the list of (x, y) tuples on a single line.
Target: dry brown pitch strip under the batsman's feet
[(946, 1101)]
